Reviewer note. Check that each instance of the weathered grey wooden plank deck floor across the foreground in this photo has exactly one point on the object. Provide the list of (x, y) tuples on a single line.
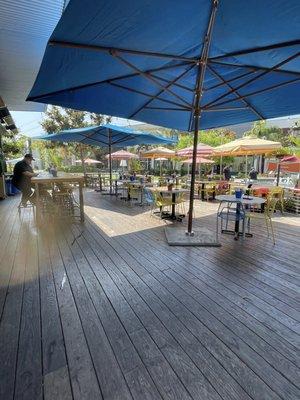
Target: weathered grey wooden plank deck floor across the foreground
[(107, 310)]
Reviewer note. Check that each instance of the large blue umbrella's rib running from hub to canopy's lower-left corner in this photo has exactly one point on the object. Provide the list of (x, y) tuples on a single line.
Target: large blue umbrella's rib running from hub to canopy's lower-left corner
[(86, 85)]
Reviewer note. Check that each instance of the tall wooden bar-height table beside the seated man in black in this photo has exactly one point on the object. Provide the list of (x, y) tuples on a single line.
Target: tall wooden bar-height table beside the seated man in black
[(61, 178)]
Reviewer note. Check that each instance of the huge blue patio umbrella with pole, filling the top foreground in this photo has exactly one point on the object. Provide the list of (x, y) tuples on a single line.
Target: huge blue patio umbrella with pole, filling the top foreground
[(171, 63)]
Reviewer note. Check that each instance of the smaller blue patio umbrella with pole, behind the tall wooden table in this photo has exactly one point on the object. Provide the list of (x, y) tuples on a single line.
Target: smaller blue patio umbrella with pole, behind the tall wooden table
[(106, 135)]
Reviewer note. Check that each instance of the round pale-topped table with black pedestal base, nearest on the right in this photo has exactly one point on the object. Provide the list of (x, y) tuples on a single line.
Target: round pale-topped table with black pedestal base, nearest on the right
[(245, 200)]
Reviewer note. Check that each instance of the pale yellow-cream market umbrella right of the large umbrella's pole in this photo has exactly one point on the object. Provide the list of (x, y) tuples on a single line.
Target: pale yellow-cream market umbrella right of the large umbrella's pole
[(247, 146)]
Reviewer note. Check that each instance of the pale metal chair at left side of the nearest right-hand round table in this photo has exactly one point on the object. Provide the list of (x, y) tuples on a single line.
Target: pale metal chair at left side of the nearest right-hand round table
[(231, 212)]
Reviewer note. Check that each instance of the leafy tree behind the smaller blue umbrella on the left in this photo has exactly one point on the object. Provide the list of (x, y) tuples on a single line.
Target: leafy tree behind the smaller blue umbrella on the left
[(58, 119)]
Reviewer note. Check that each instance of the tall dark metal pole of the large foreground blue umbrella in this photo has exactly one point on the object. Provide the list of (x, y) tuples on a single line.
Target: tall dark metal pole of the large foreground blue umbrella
[(197, 110)]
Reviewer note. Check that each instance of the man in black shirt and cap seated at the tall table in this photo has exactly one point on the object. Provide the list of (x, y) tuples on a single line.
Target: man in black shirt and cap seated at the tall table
[(23, 173)]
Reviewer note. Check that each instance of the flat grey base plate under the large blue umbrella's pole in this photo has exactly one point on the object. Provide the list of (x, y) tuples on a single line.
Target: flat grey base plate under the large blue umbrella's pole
[(201, 237)]
